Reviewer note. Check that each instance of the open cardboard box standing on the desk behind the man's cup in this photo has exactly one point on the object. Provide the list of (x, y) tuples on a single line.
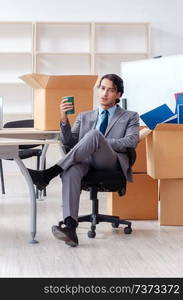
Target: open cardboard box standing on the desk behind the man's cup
[(48, 91)]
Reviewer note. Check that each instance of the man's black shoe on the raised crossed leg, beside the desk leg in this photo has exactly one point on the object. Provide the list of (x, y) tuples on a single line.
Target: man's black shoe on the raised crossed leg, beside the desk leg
[(39, 178)]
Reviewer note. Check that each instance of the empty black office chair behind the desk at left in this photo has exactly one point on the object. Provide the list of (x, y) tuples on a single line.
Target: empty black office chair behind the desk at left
[(25, 151)]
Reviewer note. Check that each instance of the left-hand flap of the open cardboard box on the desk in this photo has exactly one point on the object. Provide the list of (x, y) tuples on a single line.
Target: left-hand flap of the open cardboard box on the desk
[(36, 80)]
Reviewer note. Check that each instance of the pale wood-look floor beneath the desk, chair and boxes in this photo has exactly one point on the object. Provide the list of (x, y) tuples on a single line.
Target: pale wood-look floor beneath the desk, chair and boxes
[(150, 251)]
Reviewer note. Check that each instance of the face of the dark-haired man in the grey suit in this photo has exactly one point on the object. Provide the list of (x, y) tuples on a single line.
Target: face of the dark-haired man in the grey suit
[(108, 94)]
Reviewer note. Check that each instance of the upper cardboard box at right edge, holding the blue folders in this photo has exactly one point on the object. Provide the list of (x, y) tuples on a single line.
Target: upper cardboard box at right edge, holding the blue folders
[(164, 147)]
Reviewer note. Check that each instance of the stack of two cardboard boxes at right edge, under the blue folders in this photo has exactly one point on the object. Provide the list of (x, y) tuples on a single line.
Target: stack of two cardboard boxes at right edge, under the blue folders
[(165, 162)]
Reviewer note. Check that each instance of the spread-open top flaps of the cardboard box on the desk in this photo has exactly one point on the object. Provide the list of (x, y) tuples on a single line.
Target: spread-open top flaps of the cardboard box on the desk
[(58, 81)]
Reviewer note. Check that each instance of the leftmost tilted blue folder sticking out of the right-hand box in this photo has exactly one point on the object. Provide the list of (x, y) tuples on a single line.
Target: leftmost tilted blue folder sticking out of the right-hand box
[(157, 115)]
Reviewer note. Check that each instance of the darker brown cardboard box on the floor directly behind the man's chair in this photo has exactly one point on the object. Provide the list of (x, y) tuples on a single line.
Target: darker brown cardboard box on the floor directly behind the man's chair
[(140, 201)]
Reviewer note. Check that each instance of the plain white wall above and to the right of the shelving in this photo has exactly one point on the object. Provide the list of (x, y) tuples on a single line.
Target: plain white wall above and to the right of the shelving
[(164, 15)]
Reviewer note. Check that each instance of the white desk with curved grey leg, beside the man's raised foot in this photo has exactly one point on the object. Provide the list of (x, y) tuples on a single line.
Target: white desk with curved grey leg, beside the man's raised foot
[(10, 139)]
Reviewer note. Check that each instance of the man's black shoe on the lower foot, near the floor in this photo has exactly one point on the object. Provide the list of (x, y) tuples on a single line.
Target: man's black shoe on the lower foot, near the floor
[(66, 234)]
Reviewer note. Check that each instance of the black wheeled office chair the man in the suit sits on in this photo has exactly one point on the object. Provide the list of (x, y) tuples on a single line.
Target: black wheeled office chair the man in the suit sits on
[(105, 181)]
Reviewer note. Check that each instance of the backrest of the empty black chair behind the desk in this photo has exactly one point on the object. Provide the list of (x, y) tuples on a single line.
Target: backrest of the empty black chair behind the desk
[(29, 123)]
